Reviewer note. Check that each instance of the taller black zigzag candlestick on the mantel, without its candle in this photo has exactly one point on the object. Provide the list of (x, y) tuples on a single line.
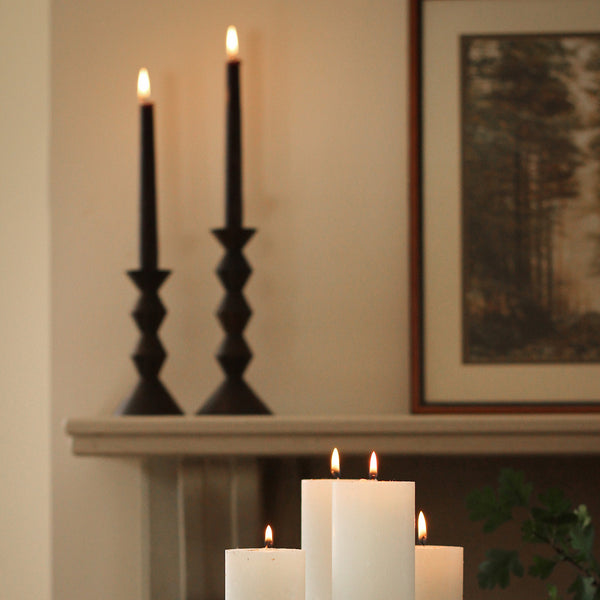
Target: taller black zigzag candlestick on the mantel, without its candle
[(234, 395)]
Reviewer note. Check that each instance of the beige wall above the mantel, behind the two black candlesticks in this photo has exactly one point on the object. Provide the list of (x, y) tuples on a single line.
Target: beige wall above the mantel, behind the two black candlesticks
[(325, 153)]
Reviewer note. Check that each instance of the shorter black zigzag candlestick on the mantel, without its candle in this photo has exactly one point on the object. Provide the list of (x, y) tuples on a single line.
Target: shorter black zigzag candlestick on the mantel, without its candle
[(150, 397)]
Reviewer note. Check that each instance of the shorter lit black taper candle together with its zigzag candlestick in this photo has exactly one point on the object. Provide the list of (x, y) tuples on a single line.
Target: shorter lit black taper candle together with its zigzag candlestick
[(150, 396)]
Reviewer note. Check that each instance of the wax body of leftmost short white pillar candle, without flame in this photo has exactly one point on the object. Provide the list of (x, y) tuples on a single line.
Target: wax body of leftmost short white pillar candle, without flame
[(264, 574)]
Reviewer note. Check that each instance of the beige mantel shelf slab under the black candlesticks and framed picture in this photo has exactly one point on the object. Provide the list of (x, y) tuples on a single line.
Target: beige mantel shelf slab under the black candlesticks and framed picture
[(207, 436)]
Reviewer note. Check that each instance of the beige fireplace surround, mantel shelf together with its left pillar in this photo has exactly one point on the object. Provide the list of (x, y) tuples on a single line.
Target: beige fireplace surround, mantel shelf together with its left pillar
[(212, 482)]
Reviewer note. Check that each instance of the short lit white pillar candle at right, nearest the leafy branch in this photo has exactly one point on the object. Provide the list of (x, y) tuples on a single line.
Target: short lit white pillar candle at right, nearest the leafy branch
[(438, 569)]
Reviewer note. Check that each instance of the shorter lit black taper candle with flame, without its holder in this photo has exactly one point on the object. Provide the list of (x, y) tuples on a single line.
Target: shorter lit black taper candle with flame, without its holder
[(148, 241)]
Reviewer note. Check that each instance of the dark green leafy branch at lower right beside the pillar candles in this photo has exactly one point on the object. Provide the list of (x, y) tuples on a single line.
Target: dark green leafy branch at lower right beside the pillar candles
[(549, 519)]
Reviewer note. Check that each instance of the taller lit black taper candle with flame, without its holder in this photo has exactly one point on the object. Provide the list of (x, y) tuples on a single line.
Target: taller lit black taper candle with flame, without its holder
[(233, 171)]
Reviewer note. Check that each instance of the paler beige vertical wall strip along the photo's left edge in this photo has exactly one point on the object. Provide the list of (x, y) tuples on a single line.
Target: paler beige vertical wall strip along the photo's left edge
[(24, 301)]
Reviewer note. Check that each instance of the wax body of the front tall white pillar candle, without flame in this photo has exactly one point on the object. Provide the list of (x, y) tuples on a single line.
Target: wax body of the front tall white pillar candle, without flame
[(373, 548)]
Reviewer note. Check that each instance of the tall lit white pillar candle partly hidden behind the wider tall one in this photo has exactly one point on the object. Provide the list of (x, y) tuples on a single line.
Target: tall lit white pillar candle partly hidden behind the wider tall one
[(316, 532)]
